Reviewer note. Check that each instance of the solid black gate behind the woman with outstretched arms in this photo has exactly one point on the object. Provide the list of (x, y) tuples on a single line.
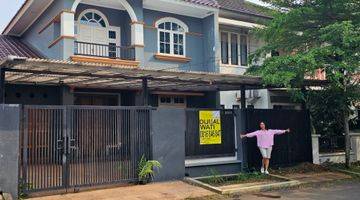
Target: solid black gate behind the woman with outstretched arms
[(288, 149)]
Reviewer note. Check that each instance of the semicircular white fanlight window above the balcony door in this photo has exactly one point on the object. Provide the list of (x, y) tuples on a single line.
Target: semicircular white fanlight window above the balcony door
[(93, 18)]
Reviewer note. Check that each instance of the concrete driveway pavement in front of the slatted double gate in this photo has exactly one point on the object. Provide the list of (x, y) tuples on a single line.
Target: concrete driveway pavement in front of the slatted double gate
[(160, 191)]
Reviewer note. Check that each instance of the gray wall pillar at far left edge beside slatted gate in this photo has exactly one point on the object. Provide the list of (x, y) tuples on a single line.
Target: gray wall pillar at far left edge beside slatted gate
[(9, 149)]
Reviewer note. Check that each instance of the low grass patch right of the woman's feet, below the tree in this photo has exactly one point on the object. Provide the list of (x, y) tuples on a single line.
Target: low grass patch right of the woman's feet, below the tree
[(300, 168)]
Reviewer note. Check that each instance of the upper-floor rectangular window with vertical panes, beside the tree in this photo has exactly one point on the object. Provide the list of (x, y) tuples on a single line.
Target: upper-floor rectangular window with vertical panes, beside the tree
[(234, 49)]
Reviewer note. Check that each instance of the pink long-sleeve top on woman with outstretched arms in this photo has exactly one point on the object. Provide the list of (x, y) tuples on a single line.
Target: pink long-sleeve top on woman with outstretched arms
[(265, 139)]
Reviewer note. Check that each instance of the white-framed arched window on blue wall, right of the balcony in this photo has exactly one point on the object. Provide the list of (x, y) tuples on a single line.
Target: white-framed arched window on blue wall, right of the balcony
[(171, 36)]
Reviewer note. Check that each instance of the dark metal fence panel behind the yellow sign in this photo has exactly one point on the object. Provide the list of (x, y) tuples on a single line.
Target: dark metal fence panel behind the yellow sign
[(193, 148)]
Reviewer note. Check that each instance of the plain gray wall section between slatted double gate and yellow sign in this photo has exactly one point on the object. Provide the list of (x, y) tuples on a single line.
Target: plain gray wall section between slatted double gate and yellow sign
[(168, 142)]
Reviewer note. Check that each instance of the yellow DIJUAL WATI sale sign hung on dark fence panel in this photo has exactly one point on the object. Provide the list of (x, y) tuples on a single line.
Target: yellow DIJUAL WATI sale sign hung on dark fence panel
[(210, 127)]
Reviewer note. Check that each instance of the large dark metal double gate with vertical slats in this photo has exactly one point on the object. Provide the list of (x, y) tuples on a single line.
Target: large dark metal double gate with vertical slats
[(67, 147)]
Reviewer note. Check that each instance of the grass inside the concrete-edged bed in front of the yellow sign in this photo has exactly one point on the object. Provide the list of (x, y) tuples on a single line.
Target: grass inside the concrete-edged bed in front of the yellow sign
[(254, 177)]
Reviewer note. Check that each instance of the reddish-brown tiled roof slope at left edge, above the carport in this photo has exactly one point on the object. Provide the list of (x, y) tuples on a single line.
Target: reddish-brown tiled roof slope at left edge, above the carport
[(12, 46)]
